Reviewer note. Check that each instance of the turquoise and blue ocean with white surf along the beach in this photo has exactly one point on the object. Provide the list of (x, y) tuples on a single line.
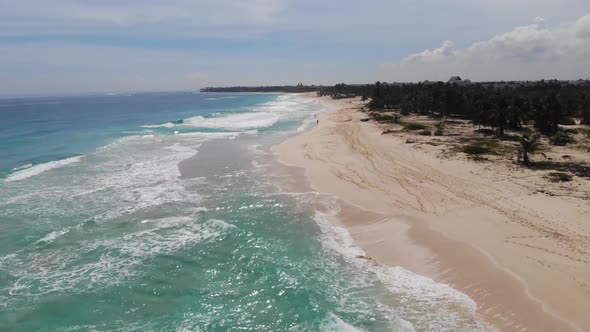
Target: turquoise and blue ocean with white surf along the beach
[(155, 212)]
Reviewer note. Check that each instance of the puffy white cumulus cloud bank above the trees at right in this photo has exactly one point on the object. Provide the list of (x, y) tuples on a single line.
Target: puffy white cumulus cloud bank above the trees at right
[(533, 51)]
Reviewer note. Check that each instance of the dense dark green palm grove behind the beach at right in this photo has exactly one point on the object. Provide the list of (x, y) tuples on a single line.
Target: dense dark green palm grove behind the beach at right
[(541, 106)]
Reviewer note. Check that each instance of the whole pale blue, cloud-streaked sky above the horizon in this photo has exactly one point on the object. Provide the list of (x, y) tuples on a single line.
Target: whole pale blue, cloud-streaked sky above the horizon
[(77, 46)]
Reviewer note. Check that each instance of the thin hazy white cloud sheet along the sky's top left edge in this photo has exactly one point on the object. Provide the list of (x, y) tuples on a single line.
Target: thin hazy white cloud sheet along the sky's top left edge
[(78, 16)]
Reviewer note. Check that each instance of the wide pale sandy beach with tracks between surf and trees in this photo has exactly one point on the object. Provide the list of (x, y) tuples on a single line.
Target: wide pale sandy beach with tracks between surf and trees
[(522, 256)]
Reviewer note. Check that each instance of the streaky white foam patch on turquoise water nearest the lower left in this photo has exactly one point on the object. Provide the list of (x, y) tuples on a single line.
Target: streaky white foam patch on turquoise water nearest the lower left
[(43, 272)]
